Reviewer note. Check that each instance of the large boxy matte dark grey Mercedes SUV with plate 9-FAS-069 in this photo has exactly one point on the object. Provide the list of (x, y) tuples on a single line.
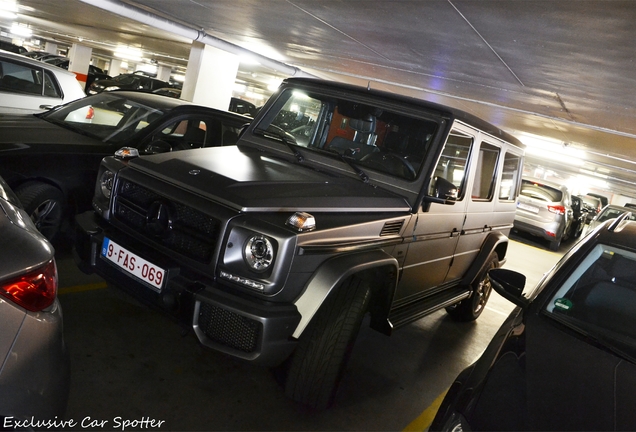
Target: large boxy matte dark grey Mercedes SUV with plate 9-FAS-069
[(336, 201)]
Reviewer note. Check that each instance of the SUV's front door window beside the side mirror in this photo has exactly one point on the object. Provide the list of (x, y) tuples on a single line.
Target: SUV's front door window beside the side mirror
[(454, 161)]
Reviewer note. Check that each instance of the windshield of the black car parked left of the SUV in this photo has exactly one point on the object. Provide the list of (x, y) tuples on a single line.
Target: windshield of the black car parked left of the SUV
[(109, 117)]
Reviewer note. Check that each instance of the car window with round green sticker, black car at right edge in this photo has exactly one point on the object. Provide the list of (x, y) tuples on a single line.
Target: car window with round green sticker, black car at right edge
[(599, 298)]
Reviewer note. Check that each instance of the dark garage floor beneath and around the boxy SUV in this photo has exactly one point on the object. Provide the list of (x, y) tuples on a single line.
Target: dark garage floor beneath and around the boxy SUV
[(134, 369)]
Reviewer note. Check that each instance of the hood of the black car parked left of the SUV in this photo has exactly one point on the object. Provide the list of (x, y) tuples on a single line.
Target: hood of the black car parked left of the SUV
[(20, 131)]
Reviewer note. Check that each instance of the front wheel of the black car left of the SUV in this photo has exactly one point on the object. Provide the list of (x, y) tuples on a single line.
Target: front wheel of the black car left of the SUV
[(44, 204)]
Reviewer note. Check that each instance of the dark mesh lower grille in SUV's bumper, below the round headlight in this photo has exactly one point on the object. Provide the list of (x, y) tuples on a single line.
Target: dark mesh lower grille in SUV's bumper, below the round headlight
[(229, 328)]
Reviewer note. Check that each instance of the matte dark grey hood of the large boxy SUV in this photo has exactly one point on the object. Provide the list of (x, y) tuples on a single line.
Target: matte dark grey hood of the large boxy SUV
[(251, 180)]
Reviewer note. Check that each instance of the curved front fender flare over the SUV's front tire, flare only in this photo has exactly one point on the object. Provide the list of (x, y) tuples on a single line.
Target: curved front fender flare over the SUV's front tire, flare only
[(332, 272)]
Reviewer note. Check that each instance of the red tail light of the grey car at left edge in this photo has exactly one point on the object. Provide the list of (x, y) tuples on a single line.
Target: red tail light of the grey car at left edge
[(35, 290)]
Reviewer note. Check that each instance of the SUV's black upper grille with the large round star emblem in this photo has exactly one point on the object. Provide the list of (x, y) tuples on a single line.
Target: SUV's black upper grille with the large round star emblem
[(182, 229)]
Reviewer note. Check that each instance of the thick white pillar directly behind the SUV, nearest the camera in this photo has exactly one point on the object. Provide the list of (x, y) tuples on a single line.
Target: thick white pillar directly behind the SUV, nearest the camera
[(210, 76)]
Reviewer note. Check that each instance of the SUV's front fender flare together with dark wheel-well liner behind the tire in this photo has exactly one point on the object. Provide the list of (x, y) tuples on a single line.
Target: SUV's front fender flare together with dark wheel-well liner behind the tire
[(376, 267)]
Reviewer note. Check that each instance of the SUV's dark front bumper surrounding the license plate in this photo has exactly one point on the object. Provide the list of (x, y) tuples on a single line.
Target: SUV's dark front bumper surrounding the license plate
[(237, 325)]
